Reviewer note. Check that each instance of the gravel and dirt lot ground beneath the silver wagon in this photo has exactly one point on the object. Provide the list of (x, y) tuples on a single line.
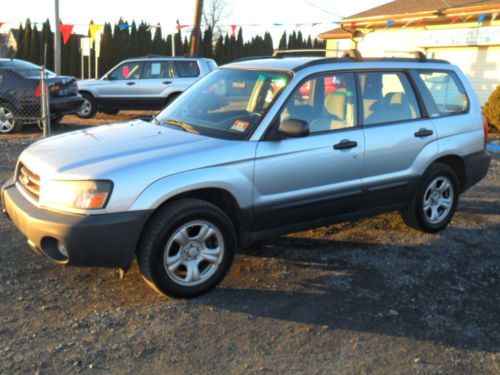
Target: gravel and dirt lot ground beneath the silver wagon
[(365, 297)]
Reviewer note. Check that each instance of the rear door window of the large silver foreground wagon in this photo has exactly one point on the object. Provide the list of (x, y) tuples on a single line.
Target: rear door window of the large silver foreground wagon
[(387, 97)]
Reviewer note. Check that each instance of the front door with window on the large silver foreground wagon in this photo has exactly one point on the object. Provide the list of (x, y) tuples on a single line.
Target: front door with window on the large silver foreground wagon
[(315, 178)]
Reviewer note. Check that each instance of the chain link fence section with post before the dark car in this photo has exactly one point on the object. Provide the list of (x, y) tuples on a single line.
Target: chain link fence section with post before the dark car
[(23, 99)]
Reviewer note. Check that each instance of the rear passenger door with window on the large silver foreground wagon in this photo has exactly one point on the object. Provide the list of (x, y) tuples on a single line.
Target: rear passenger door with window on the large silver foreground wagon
[(398, 135)]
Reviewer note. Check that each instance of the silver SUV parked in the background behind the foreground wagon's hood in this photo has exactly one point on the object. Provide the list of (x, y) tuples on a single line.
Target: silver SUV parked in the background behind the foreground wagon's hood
[(147, 83)]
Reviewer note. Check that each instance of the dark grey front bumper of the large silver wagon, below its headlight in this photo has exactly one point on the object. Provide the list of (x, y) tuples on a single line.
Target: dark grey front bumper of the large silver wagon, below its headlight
[(107, 240)]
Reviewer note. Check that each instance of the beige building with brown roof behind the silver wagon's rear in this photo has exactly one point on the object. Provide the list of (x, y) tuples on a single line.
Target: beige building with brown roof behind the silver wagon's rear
[(464, 32)]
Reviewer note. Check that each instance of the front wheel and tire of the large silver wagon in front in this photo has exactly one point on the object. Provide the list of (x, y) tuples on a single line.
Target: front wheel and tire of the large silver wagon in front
[(187, 248)]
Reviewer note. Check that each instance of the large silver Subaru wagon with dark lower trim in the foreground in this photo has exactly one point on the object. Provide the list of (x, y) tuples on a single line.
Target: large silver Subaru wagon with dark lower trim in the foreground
[(241, 156)]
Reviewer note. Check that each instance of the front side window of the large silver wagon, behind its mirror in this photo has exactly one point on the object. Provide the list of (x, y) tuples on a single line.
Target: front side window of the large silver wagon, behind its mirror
[(325, 103)]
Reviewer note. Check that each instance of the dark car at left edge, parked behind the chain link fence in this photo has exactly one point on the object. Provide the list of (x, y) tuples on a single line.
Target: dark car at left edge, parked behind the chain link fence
[(20, 92)]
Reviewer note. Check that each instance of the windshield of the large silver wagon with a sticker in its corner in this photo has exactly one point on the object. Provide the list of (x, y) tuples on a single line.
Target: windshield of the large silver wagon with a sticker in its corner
[(227, 103)]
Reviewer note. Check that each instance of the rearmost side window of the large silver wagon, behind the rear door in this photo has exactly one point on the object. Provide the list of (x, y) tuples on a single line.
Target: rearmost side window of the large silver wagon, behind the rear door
[(446, 90)]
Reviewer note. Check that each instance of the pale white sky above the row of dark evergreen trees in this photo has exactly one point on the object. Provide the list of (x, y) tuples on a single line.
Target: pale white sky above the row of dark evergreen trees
[(165, 12)]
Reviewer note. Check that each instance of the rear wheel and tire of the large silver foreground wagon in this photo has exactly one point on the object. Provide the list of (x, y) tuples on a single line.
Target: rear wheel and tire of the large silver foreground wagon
[(435, 201)]
